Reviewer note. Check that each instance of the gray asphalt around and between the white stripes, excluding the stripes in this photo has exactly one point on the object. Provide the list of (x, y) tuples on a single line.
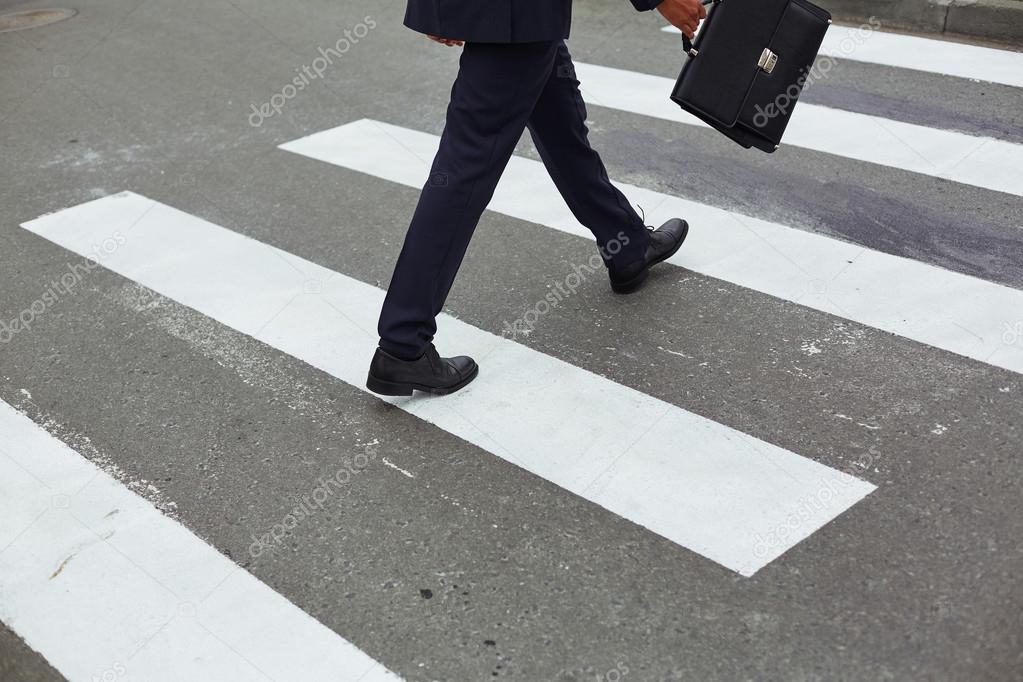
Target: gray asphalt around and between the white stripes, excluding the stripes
[(525, 581)]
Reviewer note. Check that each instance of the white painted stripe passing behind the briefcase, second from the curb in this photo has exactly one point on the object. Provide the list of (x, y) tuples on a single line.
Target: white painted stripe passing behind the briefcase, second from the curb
[(952, 156)]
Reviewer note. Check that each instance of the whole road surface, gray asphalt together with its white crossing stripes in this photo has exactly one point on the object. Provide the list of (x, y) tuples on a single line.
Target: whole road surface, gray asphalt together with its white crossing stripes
[(796, 456)]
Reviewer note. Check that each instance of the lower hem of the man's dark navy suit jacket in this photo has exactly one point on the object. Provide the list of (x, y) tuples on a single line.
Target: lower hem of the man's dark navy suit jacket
[(497, 21)]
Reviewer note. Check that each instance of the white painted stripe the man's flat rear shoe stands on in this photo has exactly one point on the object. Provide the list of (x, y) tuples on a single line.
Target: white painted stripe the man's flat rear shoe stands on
[(707, 487)]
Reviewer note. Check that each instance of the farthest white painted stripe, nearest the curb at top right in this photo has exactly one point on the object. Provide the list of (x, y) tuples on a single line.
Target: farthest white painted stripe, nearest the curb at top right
[(925, 55)]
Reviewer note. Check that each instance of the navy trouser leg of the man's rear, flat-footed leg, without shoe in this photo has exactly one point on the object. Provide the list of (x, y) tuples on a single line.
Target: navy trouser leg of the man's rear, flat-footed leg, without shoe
[(492, 101)]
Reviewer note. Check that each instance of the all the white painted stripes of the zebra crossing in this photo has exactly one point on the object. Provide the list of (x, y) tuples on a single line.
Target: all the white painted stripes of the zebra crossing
[(738, 502)]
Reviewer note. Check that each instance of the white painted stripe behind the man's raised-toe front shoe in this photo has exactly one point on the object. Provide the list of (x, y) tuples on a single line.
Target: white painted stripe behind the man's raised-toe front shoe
[(944, 309)]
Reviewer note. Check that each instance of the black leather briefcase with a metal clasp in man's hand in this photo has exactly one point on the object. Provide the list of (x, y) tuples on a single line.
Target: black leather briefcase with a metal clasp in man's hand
[(748, 67)]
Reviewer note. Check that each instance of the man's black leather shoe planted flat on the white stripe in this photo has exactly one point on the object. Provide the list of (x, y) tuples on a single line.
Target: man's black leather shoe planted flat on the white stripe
[(393, 377)]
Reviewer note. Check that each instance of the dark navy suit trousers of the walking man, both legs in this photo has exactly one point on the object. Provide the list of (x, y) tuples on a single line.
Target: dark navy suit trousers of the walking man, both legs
[(501, 90)]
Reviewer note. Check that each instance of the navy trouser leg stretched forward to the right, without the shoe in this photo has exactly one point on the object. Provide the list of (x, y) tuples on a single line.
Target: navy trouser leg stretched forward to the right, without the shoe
[(558, 126)]
